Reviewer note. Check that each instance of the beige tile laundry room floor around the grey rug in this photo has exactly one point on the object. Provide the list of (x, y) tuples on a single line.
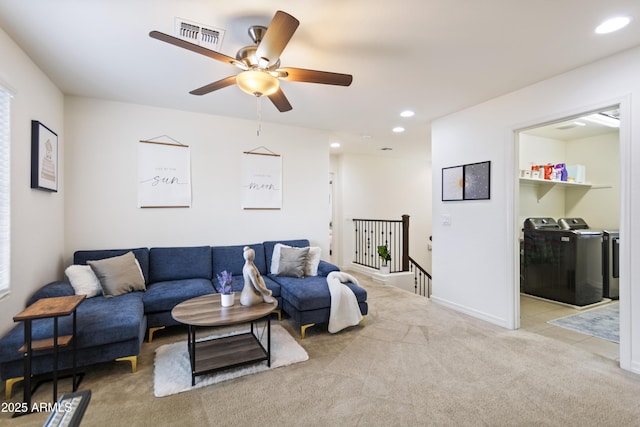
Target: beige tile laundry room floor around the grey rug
[(534, 314)]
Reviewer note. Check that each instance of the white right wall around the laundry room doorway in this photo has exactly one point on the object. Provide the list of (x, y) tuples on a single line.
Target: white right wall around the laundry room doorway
[(475, 266)]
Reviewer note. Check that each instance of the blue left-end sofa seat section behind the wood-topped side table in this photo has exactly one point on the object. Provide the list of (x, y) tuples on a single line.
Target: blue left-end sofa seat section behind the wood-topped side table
[(100, 321)]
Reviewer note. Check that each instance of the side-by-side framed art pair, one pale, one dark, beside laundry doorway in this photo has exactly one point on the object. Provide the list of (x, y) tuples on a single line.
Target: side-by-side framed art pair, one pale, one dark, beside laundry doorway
[(467, 182)]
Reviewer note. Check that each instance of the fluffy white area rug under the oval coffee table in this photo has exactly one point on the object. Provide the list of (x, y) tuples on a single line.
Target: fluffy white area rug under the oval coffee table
[(172, 372)]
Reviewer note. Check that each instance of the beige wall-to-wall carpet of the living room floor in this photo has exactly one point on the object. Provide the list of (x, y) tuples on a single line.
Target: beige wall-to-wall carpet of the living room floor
[(416, 363)]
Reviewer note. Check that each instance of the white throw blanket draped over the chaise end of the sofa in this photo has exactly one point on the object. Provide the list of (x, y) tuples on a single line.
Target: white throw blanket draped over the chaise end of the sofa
[(345, 311)]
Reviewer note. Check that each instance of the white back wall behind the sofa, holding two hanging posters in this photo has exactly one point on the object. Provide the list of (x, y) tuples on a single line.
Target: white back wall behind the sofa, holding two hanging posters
[(101, 171)]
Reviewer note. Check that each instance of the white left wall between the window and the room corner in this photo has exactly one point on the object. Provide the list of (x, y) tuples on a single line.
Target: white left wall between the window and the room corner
[(37, 232)]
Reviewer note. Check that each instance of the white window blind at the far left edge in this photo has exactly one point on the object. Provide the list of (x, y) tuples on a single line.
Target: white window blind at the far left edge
[(5, 186)]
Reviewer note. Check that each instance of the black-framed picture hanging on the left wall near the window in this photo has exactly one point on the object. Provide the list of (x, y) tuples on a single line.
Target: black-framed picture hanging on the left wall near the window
[(44, 157)]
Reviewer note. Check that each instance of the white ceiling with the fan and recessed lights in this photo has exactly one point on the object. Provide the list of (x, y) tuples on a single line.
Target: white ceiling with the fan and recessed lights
[(432, 56)]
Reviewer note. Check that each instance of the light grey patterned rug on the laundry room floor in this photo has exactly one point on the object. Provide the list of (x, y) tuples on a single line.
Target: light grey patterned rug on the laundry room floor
[(602, 322)]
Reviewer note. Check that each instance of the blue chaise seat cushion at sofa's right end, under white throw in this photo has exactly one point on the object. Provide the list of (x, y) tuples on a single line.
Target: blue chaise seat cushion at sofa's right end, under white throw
[(312, 292)]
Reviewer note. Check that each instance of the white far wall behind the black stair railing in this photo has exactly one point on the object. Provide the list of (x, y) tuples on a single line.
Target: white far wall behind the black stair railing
[(373, 186)]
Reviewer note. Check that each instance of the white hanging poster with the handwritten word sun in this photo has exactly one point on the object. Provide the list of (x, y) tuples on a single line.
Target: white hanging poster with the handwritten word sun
[(164, 175)]
